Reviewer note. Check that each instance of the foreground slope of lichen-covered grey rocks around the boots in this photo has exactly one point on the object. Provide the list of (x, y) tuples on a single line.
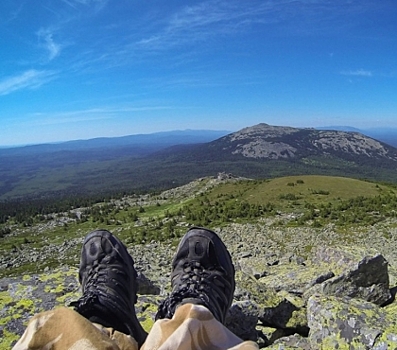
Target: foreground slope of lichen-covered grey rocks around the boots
[(296, 287)]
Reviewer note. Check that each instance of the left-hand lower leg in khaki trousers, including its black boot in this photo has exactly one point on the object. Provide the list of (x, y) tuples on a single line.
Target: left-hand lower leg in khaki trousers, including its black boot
[(104, 317)]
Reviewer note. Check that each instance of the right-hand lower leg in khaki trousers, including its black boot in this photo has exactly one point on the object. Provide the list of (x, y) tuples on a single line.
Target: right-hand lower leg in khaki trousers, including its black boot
[(203, 285)]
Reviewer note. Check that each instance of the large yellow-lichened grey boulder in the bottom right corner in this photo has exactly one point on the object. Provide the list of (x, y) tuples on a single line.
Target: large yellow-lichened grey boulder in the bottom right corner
[(349, 323)]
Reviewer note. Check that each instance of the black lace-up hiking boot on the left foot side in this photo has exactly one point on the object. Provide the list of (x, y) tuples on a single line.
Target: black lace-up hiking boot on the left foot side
[(108, 279)]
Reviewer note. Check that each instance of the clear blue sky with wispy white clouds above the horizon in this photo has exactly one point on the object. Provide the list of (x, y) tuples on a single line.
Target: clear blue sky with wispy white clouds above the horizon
[(78, 69)]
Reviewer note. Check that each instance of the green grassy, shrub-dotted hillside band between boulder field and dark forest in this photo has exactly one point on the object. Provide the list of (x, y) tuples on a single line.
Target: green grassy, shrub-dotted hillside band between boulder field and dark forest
[(317, 199)]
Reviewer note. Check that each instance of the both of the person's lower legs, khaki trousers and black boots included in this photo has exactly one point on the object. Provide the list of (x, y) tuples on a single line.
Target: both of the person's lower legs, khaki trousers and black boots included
[(190, 318)]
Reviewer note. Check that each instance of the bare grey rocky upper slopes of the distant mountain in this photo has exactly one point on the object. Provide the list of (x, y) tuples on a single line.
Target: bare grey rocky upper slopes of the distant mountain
[(276, 142)]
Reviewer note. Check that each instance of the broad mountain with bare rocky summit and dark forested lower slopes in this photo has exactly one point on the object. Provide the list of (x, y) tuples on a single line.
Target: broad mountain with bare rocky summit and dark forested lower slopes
[(264, 151)]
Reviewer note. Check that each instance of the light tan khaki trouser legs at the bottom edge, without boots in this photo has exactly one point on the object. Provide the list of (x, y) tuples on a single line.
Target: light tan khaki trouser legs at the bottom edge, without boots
[(192, 327)]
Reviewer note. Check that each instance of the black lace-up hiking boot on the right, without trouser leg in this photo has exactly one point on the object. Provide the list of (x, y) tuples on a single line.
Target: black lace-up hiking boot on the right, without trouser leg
[(202, 274)]
